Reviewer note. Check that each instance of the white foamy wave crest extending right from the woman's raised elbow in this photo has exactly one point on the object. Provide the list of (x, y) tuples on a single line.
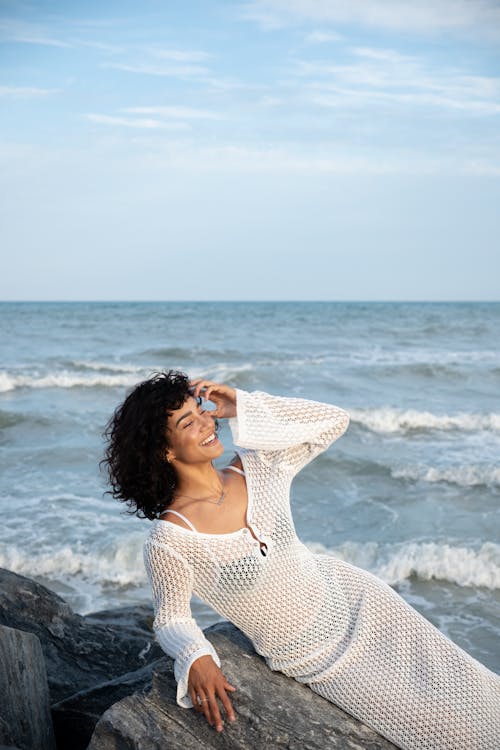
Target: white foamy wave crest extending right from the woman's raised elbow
[(389, 420)]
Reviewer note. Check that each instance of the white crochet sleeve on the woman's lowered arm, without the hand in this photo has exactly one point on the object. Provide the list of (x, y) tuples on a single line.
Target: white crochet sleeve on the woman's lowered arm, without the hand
[(176, 630)]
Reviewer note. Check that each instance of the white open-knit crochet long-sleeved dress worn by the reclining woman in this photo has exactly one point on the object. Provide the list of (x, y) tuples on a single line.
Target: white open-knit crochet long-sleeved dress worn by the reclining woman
[(333, 626)]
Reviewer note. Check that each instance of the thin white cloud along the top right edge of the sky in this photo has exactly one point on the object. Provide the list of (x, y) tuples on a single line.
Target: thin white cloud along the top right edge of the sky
[(427, 16)]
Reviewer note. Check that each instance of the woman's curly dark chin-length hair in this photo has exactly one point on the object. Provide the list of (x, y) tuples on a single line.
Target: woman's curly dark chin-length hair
[(135, 461)]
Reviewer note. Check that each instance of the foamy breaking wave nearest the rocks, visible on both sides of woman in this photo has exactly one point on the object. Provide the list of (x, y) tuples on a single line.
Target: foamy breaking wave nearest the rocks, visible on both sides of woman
[(119, 563)]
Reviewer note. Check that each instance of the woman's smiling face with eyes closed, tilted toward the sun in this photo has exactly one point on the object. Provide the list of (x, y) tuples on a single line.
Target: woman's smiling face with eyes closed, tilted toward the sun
[(191, 434)]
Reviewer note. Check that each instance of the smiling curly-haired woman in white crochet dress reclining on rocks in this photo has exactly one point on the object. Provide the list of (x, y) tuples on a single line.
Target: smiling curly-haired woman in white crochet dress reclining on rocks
[(228, 535)]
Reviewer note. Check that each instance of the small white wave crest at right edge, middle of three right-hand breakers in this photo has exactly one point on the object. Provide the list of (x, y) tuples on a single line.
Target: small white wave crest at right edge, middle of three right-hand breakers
[(463, 476)]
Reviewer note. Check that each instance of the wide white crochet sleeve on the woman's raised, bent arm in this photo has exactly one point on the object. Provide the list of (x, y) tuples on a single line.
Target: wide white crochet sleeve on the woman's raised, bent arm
[(291, 431)]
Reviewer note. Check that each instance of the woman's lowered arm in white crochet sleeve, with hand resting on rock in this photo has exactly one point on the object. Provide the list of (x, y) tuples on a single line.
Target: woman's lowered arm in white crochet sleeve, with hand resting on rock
[(197, 665)]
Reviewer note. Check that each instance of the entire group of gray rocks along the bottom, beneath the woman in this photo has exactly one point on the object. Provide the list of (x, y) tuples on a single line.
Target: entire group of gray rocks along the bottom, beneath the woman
[(100, 682)]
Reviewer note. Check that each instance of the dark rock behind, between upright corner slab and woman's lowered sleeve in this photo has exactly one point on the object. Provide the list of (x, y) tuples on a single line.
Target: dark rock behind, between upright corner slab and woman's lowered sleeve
[(79, 652)]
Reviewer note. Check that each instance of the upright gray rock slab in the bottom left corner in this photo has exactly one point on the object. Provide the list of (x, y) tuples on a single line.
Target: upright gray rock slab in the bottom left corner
[(24, 694)]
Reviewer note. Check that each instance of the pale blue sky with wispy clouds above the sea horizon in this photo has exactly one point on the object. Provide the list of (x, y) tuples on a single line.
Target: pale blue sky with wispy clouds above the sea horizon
[(256, 150)]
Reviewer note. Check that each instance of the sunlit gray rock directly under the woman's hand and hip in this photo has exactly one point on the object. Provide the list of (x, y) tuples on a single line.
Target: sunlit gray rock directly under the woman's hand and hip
[(272, 711)]
